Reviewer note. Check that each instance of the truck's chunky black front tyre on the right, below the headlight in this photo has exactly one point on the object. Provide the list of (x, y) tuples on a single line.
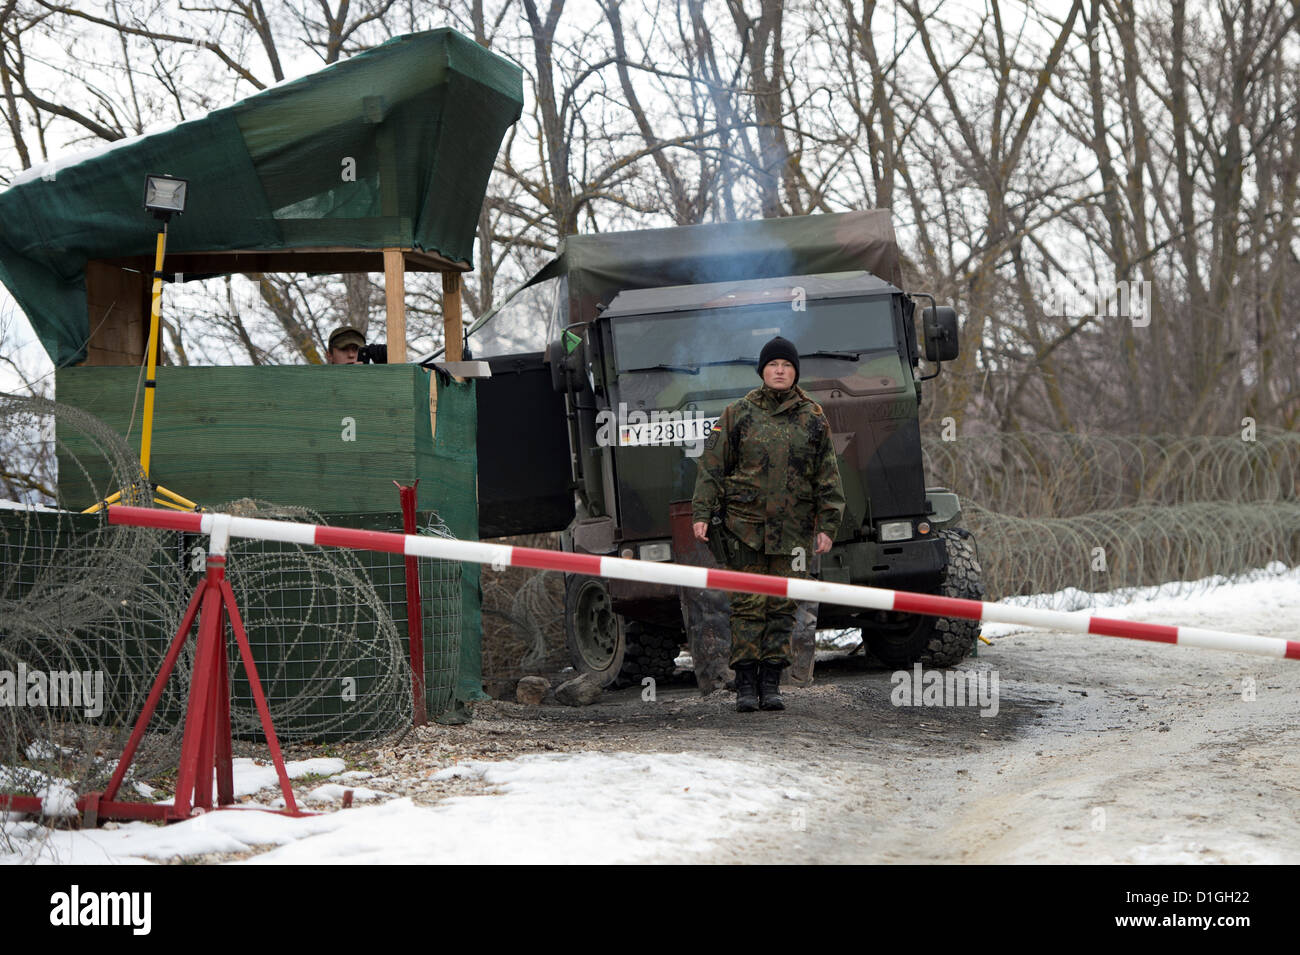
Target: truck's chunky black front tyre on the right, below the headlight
[(937, 641)]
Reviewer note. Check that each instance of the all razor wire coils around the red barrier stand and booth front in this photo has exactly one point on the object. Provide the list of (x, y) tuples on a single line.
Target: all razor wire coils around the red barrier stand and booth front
[(103, 602)]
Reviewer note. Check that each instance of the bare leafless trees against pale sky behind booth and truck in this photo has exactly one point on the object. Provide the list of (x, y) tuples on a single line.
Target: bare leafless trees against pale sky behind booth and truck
[(1020, 149)]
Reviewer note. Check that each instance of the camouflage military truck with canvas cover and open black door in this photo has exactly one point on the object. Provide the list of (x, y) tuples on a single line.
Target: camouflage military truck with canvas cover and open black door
[(653, 333)]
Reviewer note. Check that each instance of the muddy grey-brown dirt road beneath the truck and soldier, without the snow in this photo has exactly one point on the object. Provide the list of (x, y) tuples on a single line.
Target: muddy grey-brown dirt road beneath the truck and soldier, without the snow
[(1100, 752)]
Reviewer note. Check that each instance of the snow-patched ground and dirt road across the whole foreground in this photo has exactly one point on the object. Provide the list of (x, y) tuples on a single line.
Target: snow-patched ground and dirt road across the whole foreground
[(1103, 750)]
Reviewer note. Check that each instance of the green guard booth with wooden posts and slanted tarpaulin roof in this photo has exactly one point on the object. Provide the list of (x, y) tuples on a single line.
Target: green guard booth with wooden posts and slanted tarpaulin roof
[(375, 164)]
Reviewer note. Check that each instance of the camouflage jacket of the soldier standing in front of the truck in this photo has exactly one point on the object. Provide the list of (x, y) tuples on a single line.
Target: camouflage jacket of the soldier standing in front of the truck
[(770, 459)]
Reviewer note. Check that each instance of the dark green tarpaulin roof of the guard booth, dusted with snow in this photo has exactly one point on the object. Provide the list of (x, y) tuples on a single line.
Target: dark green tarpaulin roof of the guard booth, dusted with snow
[(389, 149)]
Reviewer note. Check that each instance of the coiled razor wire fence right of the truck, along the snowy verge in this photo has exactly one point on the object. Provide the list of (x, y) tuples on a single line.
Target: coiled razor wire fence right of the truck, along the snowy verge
[(1058, 516)]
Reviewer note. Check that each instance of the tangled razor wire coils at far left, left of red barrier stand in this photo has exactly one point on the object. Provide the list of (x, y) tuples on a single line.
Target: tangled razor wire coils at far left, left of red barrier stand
[(86, 598)]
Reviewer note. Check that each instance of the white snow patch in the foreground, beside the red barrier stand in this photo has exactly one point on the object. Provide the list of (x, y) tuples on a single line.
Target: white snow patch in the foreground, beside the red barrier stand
[(583, 808)]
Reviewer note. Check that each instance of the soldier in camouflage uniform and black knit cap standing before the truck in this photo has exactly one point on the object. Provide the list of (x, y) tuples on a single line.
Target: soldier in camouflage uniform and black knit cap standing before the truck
[(770, 466)]
